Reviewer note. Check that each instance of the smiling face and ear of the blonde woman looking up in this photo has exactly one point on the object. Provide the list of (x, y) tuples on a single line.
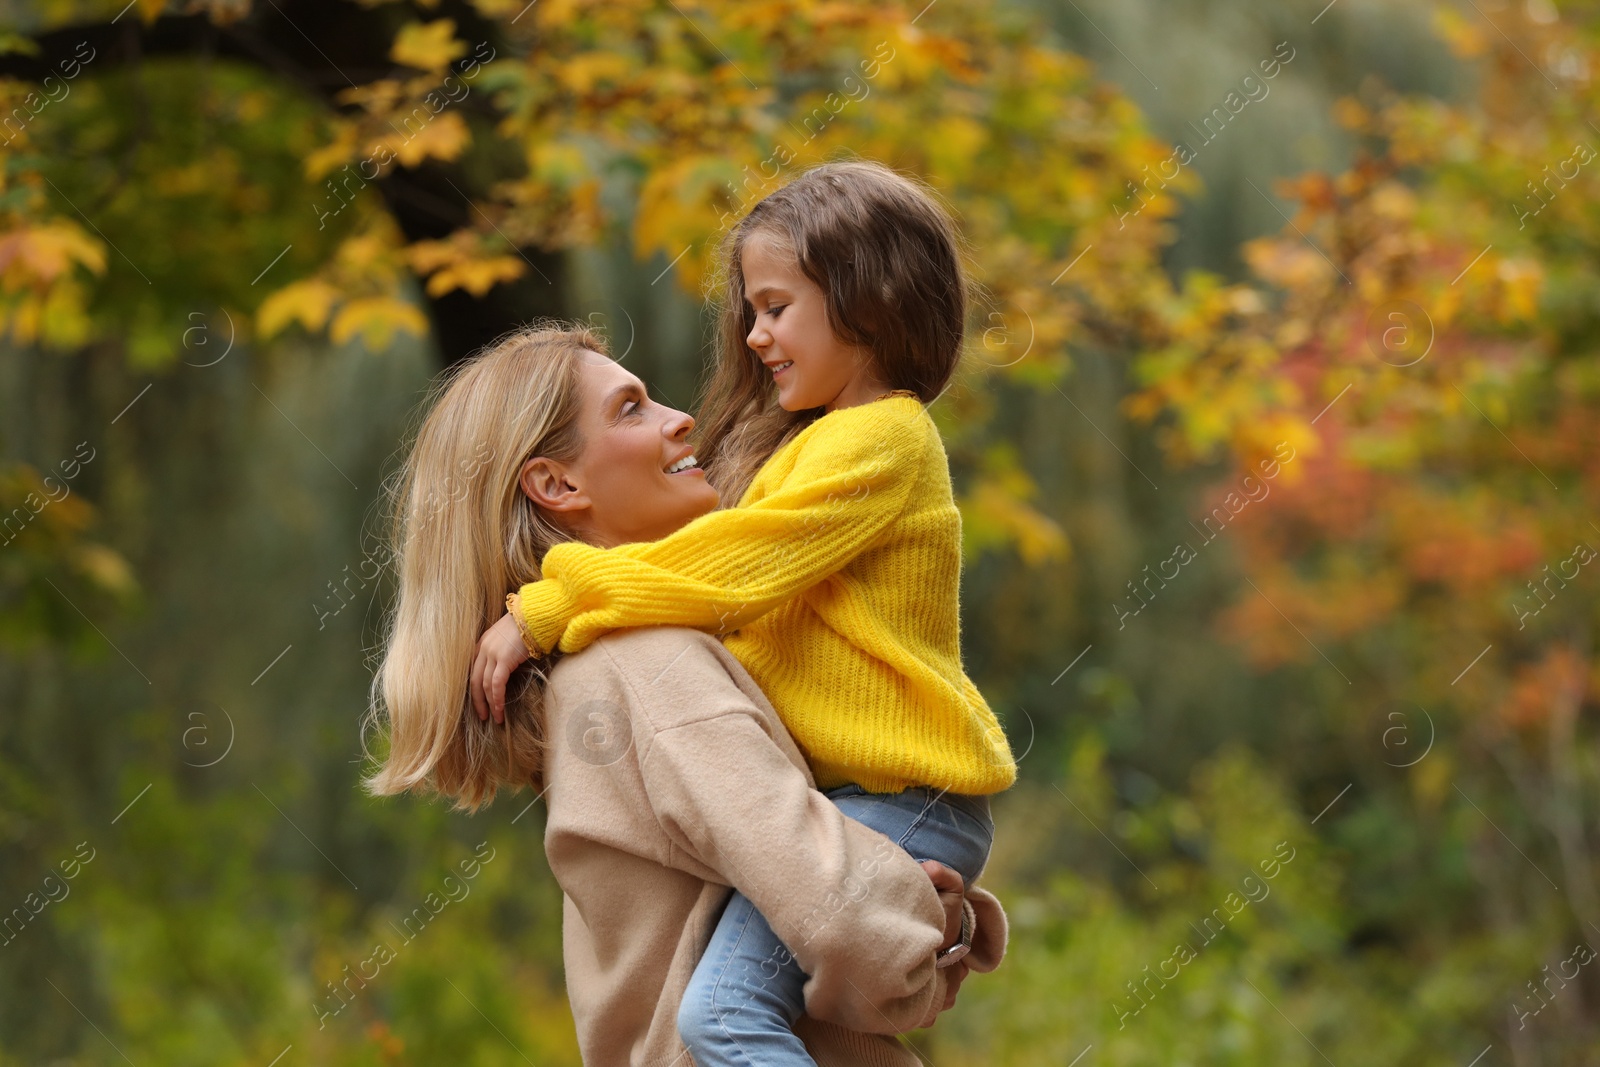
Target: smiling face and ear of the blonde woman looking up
[(636, 478)]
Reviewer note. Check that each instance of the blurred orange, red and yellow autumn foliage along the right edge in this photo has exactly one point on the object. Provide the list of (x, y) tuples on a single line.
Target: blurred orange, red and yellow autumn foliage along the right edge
[(1423, 334)]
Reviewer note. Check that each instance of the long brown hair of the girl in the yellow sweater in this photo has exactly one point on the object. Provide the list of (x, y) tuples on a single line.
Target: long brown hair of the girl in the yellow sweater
[(886, 254)]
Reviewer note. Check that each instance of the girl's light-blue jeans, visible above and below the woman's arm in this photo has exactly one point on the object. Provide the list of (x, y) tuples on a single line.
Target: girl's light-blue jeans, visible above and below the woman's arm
[(746, 994)]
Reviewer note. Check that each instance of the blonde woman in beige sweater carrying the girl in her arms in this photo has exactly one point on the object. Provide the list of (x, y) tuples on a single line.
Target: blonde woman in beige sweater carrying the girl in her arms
[(668, 775)]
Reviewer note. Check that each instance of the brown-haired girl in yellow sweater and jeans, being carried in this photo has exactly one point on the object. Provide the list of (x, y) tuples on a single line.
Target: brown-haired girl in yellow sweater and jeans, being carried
[(836, 580)]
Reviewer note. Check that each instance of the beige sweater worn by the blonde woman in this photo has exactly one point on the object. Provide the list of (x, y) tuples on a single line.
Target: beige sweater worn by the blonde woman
[(671, 780)]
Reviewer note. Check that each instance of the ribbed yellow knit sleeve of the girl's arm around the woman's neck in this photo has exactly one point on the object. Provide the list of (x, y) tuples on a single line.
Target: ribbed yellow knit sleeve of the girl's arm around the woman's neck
[(849, 484)]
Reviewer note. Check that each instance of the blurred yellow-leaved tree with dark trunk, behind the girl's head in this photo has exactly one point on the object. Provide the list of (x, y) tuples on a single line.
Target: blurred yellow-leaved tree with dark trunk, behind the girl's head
[(502, 135)]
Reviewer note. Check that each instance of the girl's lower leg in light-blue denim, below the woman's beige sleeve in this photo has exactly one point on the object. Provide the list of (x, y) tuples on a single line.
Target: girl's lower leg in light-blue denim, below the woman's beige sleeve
[(745, 997)]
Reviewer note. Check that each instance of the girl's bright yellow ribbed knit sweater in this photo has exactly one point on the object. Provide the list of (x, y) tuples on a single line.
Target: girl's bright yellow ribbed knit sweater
[(836, 581)]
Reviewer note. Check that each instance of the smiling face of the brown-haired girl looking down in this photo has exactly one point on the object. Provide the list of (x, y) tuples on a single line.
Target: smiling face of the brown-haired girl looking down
[(814, 369)]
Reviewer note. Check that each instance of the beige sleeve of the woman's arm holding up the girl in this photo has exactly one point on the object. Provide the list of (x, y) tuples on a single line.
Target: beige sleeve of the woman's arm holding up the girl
[(857, 911)]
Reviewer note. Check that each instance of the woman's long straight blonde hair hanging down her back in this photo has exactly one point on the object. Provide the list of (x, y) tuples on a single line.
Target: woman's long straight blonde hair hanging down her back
[(463, 535)]
